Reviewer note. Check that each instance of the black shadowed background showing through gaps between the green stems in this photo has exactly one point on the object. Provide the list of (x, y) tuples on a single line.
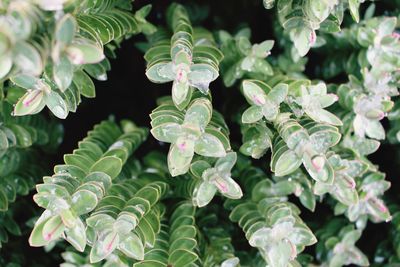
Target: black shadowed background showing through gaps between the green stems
[(127, 94)]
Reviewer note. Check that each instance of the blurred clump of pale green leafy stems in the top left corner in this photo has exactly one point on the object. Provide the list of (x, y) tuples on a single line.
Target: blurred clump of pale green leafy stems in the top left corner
[(45, 53)]
